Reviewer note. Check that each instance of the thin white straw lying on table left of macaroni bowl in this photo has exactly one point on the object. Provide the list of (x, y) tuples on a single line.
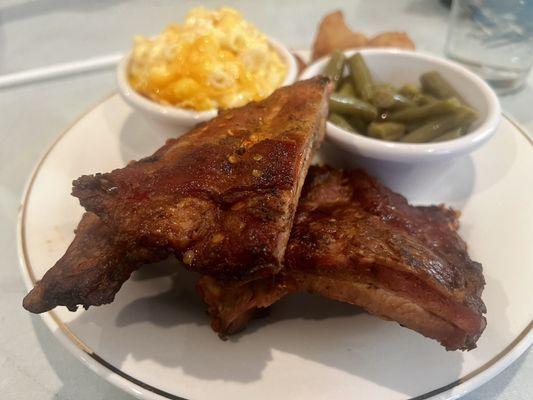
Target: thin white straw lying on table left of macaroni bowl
[(58, 70)]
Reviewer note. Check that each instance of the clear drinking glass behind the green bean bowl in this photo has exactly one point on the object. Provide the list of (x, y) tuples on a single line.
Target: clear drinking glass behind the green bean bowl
[(494, 38)]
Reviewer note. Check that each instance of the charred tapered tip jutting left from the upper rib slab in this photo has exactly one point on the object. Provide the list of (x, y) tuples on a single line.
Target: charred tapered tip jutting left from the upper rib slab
[(91, 272)]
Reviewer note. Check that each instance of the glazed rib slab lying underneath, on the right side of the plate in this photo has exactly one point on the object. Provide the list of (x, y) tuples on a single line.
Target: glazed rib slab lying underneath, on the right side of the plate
[(356, 241)]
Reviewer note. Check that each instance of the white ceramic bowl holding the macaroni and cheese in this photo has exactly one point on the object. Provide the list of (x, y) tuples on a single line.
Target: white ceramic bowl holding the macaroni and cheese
[(183, 117)]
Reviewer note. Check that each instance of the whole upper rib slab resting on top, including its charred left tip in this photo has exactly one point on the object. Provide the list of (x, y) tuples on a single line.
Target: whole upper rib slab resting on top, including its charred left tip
[(223, 193)]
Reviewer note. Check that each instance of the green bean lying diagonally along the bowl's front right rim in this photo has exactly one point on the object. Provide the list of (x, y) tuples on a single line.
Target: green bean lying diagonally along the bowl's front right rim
[(439, 126)]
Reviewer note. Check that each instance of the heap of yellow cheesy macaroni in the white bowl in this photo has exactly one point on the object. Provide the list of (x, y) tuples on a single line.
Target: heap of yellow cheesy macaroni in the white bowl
[(216, 59)]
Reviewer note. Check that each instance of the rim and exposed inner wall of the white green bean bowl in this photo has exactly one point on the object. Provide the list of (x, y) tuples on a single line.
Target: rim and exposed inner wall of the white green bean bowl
[(400, 67)]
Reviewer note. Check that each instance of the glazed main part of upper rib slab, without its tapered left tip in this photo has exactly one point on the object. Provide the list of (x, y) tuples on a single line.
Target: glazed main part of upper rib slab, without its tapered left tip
[(223, 196)]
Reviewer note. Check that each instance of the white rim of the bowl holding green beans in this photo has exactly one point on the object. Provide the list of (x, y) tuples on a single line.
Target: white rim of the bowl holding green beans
[(397, 151)]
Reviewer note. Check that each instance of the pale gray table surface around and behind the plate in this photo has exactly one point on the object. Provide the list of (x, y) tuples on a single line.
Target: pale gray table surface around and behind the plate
[(36, 33)]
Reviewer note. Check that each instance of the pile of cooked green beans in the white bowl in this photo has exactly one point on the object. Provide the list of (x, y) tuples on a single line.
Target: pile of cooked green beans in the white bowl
[(431, 112)]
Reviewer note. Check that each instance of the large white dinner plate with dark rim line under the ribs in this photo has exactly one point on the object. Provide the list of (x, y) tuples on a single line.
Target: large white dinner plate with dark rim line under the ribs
[(154, 340)]
